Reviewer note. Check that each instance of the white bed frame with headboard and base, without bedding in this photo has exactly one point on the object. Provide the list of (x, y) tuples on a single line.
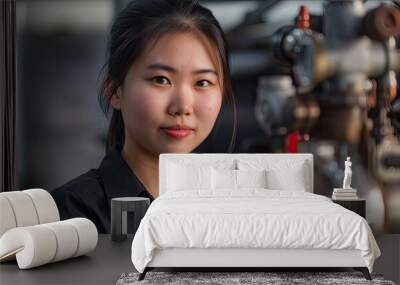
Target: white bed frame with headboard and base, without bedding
[(249, 257)]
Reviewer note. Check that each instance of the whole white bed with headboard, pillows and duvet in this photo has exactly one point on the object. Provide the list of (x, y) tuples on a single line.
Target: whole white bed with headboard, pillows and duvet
[(244, 226)]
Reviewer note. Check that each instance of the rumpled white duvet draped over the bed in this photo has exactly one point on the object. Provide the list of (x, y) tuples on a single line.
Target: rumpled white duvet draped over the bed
[(250, 218)]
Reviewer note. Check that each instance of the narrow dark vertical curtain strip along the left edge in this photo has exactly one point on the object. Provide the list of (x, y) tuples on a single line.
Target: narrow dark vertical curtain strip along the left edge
[(7, 94)]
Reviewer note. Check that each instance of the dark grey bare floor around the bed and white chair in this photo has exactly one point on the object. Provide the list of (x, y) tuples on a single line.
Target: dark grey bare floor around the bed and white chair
[(111, 259)]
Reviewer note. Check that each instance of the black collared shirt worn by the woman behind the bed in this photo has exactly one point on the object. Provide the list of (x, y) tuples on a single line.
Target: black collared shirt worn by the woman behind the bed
[(89, 195)]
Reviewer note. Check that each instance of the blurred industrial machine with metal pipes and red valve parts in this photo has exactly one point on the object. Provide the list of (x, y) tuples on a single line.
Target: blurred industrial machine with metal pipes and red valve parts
[(332, 82)]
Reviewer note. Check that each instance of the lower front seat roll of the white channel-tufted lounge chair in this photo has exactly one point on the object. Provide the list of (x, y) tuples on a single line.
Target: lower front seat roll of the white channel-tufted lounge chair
[(40, 244)]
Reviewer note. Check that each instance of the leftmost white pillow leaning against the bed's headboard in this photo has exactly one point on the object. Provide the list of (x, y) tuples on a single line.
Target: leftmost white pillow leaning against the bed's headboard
[(184, 177)]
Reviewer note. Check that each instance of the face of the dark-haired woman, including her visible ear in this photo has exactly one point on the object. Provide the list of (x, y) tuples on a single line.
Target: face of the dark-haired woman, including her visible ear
[(171, 96)]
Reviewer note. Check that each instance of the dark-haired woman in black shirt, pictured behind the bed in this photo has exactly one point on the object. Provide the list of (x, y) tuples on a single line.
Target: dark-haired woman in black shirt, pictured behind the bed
[(166, 78)]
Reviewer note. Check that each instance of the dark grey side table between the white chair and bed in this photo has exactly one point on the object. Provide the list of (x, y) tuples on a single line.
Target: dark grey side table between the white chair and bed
[(119, 208)]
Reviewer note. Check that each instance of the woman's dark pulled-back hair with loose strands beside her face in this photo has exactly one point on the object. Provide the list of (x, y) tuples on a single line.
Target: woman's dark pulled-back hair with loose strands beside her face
[(143, 22)]
